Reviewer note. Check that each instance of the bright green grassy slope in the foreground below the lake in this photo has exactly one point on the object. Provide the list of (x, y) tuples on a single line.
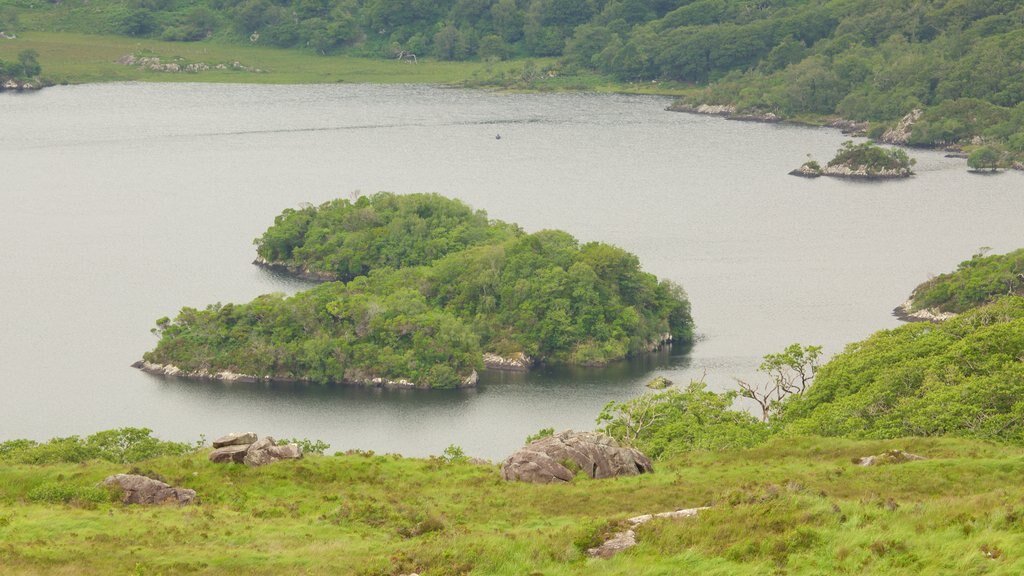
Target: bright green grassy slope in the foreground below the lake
[(796, 507)]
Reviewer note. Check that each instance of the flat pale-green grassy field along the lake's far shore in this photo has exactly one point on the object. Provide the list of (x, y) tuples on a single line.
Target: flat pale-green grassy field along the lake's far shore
[(75, 59)]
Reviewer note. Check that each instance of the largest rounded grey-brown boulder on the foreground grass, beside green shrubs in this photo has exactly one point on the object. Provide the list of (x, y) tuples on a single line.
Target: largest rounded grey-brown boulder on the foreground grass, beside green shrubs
[(560, 458)]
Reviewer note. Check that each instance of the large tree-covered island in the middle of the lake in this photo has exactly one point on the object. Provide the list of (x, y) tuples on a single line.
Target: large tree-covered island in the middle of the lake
[(434, 287)]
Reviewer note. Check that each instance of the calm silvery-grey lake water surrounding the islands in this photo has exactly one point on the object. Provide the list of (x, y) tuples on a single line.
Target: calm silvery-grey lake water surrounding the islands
[(121, 203)]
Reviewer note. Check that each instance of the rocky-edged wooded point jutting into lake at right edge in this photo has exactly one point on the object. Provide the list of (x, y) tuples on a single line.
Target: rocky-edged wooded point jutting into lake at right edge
[(976, 282)]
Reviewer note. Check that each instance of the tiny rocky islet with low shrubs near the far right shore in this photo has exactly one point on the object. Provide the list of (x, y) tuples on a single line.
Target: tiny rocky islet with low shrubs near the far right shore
[(866, 161)]
